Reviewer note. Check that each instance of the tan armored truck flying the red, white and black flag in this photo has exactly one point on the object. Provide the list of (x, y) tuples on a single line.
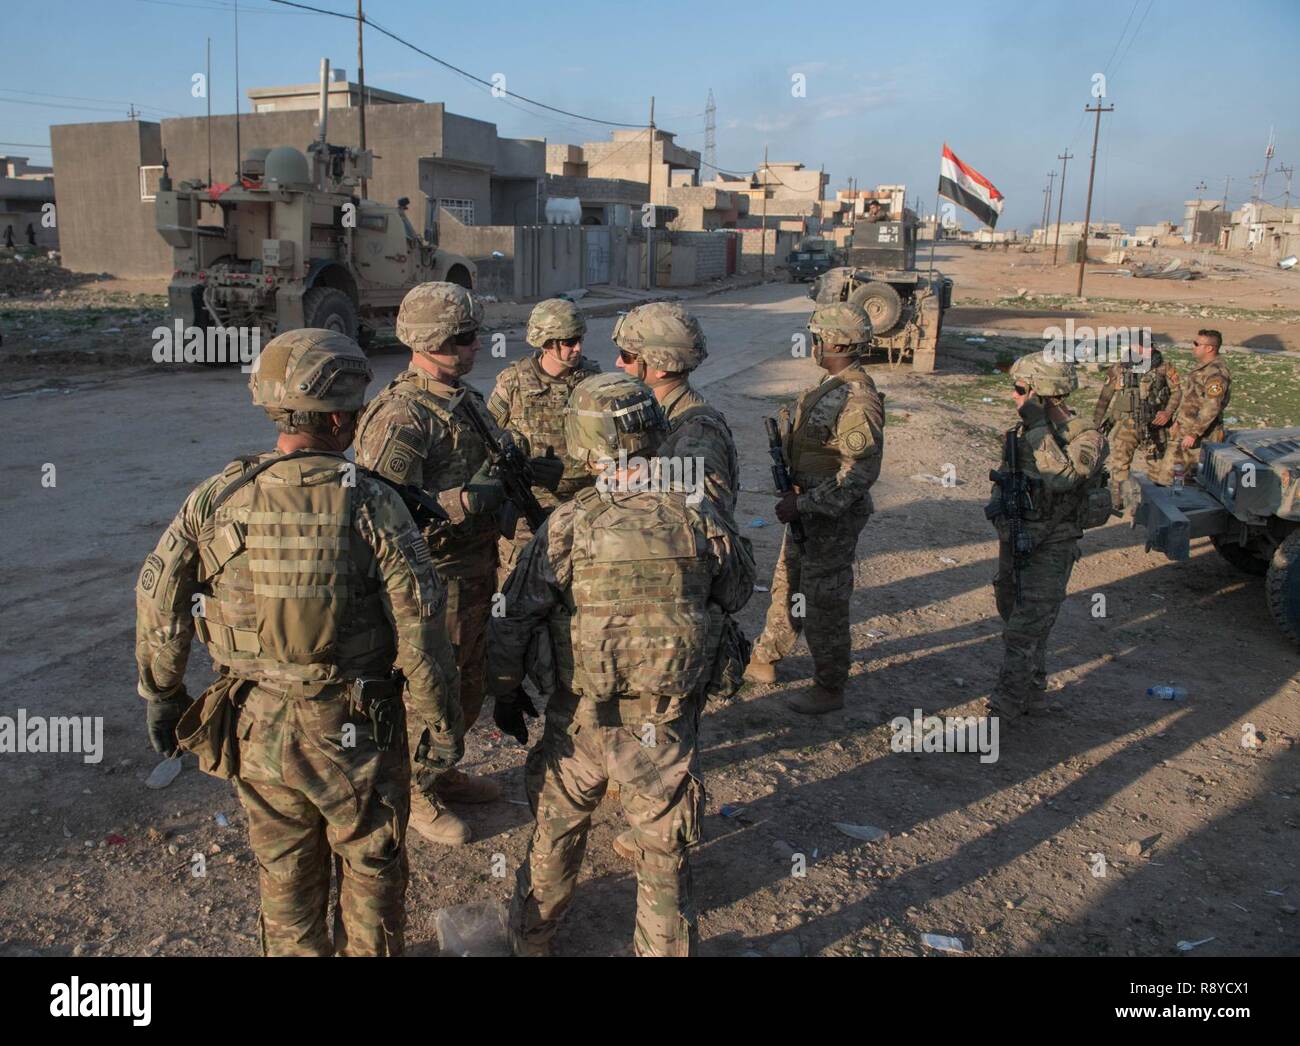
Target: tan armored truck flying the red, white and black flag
[(907, 306)]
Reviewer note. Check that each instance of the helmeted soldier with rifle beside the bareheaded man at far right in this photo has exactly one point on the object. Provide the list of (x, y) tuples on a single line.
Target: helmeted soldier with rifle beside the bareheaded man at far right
[(1134, 411)]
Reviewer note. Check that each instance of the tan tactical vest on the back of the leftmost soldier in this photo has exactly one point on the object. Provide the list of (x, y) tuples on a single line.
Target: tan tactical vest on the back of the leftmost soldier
[(292, 592)]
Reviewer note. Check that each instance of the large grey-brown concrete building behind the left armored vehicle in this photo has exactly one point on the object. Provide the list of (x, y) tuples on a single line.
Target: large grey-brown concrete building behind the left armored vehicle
[(109, 172)]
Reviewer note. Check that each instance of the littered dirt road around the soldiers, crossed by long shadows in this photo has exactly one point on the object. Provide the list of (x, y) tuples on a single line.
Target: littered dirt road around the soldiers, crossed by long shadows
[(1198, 836)]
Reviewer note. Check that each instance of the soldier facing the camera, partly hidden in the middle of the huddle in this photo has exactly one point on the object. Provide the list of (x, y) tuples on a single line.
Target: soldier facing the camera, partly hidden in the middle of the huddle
[(530, 402)]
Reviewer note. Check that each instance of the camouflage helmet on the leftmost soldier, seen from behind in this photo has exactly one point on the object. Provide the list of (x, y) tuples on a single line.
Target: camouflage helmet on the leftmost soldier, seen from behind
[(310, 371)]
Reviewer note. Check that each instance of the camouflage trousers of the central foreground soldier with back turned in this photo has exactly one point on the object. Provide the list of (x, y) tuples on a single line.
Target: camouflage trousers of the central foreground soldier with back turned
[(662, 796)]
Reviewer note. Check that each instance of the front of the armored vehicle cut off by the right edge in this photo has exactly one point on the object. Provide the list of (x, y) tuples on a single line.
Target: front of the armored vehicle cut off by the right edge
[(1246, 500)]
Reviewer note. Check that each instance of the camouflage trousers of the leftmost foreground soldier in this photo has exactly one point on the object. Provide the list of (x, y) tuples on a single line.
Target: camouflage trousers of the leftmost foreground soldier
[(315, 789)]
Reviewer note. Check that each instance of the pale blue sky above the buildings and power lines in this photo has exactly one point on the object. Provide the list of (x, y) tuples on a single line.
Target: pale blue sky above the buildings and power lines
[(1197, 86)]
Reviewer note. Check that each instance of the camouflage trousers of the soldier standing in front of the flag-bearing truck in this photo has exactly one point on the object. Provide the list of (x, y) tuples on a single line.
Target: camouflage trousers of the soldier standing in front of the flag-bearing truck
[(822, 574)]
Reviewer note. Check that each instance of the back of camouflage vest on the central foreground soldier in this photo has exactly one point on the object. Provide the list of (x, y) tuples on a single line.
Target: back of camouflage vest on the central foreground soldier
[(643, 623)]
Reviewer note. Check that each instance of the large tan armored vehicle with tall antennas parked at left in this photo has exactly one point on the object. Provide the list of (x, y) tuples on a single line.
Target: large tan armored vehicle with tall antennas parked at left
[(293, 245)]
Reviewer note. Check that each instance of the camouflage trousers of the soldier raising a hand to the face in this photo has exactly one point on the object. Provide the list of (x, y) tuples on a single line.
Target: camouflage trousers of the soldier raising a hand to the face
[(1045, 579)]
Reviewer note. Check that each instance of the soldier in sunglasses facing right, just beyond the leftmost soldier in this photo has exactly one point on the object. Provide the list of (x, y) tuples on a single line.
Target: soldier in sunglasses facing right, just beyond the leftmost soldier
[(417, 432)]
